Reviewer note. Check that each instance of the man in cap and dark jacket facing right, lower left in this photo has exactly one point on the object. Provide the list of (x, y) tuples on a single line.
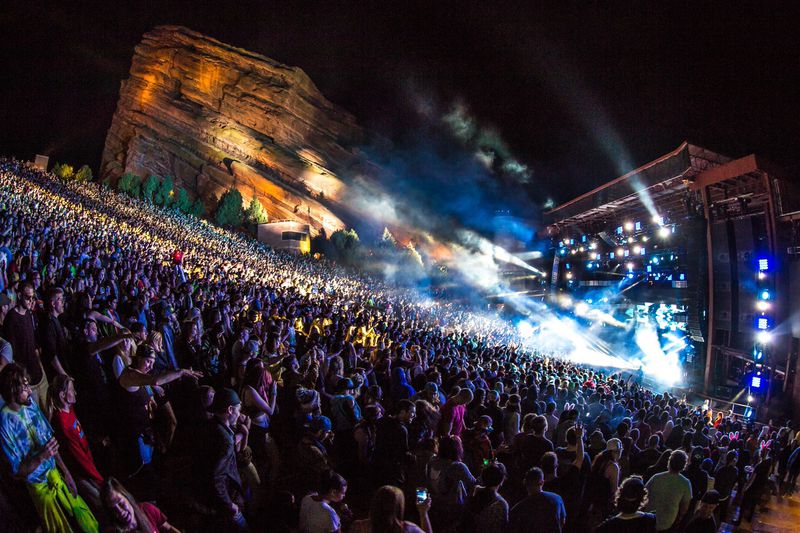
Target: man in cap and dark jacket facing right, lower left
[(221, 481)]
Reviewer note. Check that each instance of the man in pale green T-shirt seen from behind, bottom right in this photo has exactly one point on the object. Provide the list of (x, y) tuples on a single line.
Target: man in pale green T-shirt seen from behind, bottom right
[(670, 493)]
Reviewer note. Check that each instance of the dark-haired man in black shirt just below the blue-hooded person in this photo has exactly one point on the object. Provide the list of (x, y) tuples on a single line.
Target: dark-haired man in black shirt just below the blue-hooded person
[(391, 445)]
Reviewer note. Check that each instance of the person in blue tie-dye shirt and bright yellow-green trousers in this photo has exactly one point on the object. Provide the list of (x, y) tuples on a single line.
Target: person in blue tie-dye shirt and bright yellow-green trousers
[(27, 440)]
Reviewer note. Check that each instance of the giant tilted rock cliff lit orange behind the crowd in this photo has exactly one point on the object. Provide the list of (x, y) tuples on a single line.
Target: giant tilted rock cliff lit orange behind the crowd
[(212, 115)]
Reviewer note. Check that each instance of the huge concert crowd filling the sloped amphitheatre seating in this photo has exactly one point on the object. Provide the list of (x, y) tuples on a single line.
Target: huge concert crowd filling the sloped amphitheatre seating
[(153, 363)]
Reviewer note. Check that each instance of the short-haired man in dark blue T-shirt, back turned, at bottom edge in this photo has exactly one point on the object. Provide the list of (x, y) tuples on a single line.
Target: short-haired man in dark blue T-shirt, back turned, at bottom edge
[(540, 511)]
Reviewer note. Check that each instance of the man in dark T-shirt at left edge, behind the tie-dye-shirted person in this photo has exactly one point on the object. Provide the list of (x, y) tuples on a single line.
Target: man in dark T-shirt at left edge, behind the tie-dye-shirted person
[(19, 329)]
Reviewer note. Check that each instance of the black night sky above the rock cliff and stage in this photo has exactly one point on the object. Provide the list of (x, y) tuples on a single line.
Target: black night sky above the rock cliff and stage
[(579, 95)]
